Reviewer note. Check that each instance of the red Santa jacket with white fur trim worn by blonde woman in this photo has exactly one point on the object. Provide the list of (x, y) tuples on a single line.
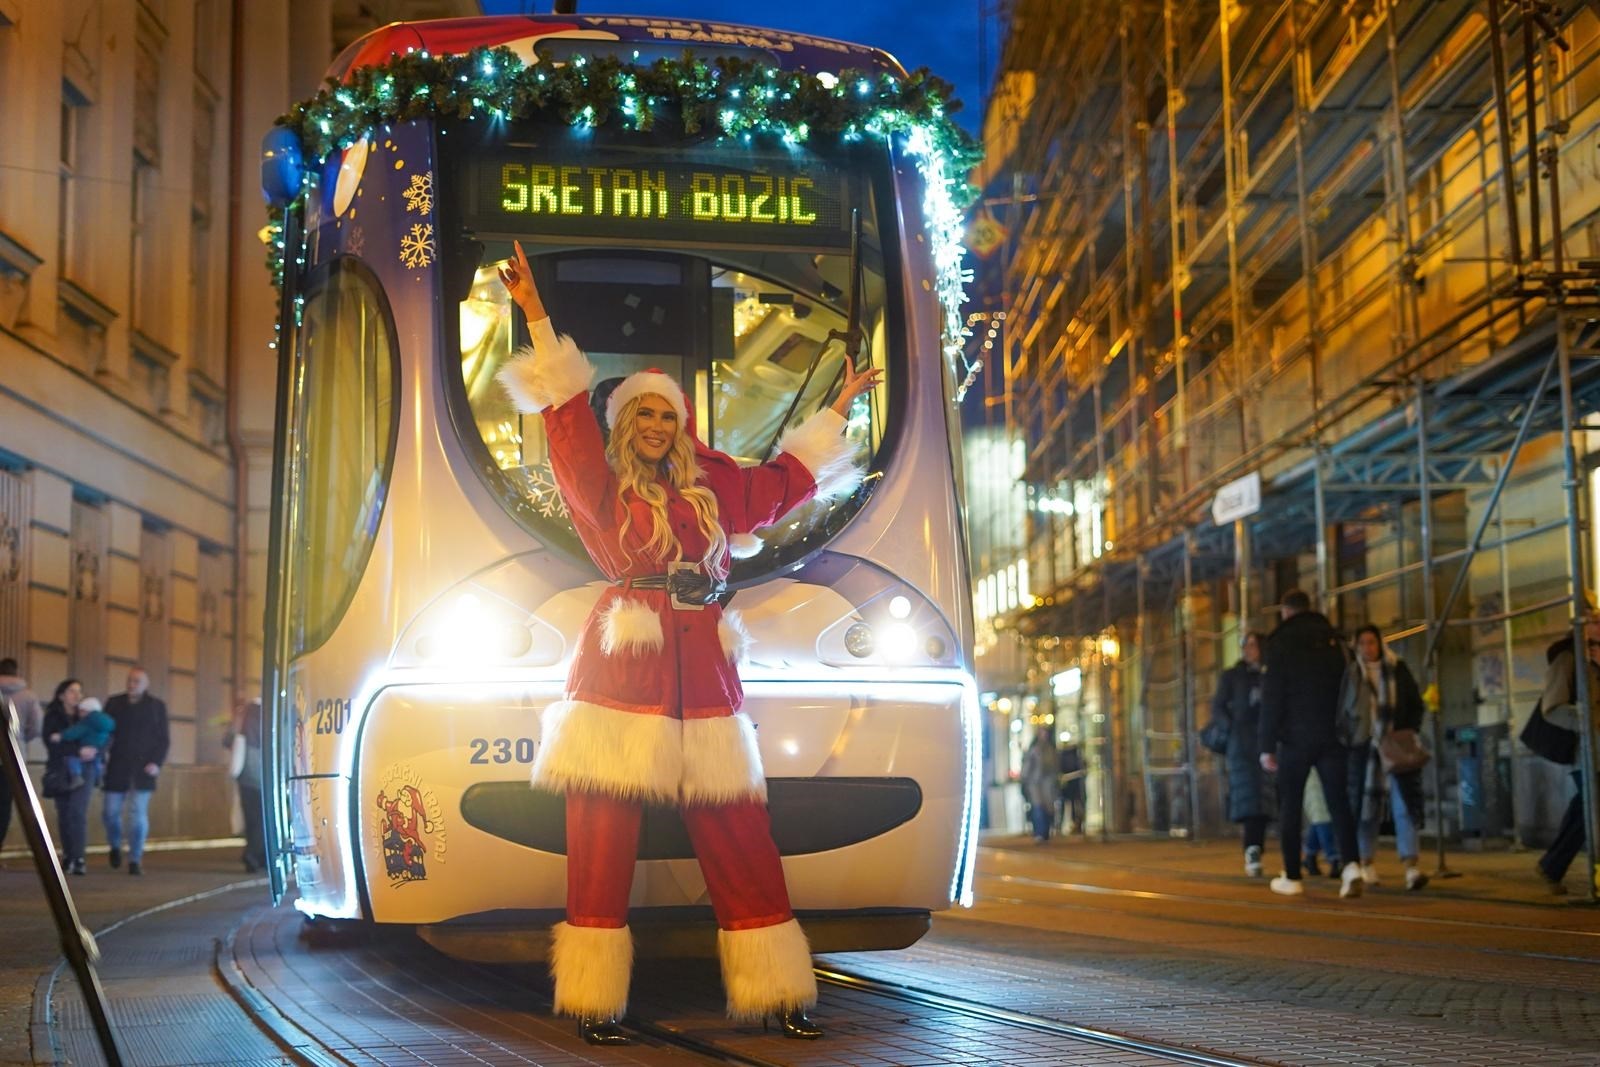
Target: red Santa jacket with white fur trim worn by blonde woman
[(652, 706)]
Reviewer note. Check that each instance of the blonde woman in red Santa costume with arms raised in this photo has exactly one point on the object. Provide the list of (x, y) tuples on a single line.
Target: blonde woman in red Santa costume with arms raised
[(652, 709)]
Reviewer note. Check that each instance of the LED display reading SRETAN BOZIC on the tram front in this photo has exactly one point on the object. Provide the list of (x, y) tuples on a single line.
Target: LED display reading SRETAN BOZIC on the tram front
[(642, 199)]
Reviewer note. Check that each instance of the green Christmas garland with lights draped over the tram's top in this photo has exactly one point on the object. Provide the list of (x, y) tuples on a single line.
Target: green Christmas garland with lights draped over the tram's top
[(727, 95)]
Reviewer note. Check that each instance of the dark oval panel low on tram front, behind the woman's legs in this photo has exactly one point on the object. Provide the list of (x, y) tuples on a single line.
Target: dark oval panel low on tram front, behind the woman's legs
[(810, 815)]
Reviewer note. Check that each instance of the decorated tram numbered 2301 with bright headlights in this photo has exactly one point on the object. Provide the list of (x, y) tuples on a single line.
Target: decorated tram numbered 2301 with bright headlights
[(426, 588)]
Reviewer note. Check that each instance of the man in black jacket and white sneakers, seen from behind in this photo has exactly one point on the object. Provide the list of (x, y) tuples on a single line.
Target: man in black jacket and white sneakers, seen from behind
[(1300, 711)]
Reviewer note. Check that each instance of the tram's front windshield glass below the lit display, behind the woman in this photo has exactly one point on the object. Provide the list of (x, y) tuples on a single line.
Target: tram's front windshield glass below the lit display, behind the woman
[(743, 334)]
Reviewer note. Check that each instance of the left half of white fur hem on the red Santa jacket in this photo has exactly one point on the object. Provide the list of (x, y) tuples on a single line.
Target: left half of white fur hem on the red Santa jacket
[(598, 749)]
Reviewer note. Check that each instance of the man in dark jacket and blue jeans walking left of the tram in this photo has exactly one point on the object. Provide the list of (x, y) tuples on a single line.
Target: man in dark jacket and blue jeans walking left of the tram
[(138, 751)]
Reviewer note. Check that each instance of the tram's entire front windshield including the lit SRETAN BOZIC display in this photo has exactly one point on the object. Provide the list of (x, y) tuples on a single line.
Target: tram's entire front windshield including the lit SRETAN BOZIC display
[(732, 271)]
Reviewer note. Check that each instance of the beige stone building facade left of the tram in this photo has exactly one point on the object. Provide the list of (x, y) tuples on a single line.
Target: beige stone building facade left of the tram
[(137, 380)]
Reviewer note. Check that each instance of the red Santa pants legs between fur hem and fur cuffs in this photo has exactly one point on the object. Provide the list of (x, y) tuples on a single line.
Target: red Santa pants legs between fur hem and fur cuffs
[(734, 844)]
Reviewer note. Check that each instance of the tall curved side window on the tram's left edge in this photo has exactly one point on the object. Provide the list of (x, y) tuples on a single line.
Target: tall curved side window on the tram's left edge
[(345, 431)]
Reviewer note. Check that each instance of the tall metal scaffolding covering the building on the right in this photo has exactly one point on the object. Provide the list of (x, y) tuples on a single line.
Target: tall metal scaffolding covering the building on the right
[(1350, 249)]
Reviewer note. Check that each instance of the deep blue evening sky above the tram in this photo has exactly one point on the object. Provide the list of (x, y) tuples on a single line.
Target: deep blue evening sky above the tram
[(938, 34)]
